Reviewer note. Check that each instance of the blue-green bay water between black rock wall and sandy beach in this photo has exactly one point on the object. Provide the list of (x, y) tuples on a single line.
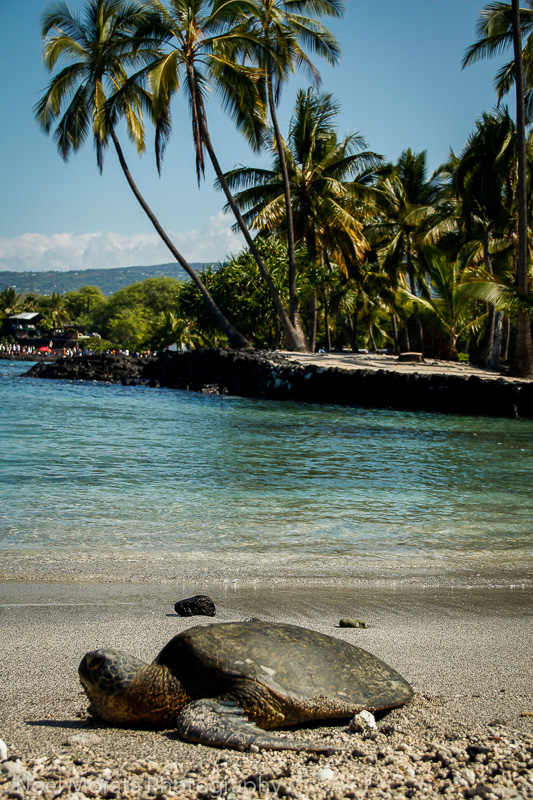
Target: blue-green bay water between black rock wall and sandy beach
[(90, 470)]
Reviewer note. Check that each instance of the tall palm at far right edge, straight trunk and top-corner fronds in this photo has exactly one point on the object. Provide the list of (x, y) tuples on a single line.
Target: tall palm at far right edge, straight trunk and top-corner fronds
[(499, 27)]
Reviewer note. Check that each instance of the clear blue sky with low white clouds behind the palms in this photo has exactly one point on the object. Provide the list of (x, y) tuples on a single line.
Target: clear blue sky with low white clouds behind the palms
[(400, 84)]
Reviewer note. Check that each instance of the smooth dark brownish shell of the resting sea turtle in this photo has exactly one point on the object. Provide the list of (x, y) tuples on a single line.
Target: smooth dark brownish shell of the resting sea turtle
[(306, 669)]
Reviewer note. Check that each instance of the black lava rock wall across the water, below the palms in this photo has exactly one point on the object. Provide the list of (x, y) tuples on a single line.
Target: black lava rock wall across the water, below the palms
[(275, 376)]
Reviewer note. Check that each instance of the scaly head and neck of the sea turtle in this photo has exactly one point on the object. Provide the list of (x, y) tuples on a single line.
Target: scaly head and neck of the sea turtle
[(124, 690)]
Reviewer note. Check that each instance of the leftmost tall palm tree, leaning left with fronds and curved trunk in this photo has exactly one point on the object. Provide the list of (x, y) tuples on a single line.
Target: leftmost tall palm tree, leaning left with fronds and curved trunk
[(99, 48)]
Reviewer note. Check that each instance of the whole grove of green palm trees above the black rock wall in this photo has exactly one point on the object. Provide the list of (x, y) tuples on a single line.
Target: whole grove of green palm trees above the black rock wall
[(344, 249)]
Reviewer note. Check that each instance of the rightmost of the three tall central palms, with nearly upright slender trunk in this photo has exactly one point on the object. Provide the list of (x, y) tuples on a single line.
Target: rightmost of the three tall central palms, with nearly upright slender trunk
[(284, 28)]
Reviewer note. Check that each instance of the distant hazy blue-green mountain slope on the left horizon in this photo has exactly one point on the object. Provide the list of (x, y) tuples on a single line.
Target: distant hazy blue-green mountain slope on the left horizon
[(108, 280)]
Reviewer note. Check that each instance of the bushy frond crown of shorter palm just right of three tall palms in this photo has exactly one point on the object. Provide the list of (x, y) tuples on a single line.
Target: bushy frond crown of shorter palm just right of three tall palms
[(329, 181)]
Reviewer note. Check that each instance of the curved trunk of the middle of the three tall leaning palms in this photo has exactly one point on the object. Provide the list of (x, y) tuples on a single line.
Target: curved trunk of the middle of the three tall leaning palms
[(295, 339)]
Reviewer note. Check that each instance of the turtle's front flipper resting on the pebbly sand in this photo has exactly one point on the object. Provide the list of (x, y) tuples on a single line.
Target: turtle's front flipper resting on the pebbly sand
[(218, 722)]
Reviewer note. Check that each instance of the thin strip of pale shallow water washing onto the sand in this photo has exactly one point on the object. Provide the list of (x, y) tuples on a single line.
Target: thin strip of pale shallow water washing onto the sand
[(449, 570)]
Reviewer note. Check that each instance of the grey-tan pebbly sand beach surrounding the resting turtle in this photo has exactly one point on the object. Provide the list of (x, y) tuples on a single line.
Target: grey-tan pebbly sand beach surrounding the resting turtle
[(466, 652)]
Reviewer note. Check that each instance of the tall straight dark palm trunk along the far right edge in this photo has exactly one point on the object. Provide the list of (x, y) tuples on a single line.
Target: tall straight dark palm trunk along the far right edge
[(523, 357)]
